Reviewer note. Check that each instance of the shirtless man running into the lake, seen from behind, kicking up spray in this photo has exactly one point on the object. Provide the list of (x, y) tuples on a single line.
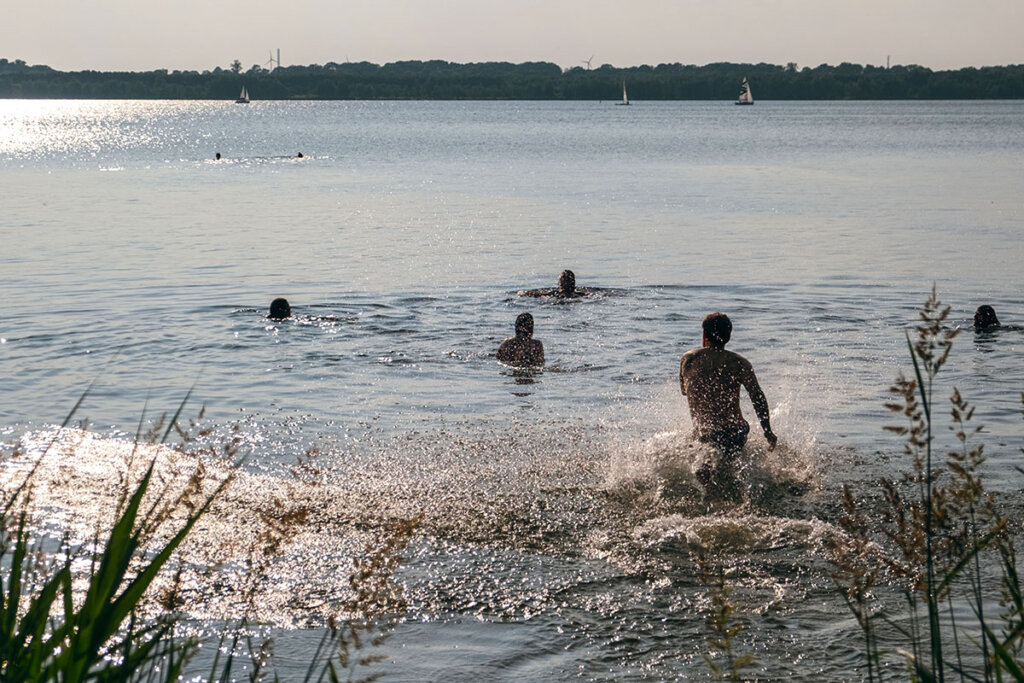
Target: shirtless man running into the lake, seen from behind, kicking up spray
[(710, 377)]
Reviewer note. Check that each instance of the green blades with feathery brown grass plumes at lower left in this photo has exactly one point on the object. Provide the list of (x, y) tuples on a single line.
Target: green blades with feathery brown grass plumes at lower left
[(77, 614)]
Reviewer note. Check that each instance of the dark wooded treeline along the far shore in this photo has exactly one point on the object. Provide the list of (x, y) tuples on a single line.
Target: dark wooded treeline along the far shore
[(444, 80)]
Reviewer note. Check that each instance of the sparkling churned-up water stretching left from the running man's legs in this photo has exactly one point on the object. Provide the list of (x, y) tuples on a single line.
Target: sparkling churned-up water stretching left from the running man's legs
[(488, 498)]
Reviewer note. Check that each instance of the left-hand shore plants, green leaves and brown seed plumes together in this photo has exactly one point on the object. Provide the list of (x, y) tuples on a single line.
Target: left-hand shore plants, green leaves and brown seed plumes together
[(112, 607)]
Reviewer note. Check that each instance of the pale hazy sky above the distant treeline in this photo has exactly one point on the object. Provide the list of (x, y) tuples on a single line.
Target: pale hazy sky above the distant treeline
[(130, 35)]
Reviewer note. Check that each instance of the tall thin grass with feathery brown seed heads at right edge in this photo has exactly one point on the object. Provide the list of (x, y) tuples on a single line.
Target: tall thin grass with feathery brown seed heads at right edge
[(938, 535)]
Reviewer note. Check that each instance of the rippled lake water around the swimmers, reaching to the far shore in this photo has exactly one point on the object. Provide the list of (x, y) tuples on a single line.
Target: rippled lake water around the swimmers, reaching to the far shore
[(561, 517)]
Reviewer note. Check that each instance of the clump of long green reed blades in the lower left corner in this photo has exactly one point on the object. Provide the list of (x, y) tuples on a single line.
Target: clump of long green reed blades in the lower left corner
[(49, 633)]
